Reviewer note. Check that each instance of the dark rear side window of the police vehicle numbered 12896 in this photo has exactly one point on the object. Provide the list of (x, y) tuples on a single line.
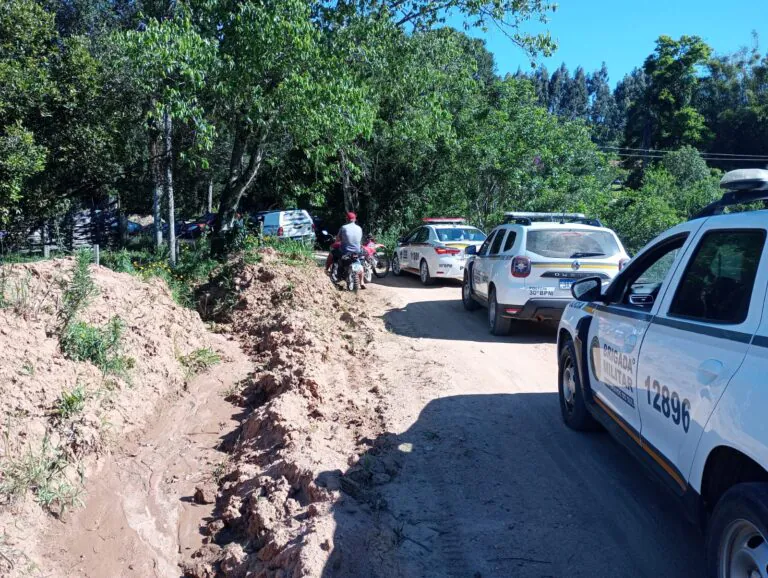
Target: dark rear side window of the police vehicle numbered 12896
[(717, 284)]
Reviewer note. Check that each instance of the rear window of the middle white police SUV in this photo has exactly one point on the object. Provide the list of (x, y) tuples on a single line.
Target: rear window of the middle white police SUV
[(571, 244)]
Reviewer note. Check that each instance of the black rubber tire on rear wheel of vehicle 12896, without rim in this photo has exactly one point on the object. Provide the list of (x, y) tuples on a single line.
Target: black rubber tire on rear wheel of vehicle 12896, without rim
[(747, 501)]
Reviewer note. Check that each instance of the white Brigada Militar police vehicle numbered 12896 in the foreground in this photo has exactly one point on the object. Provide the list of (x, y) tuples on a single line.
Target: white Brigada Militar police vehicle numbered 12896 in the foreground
[(672, 359)]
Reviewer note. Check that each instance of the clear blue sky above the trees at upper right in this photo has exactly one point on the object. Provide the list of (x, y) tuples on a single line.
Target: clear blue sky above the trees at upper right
[(622, 32)]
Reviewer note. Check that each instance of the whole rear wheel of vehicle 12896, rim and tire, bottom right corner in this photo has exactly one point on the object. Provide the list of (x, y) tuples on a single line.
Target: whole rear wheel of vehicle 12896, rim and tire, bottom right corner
[(737, 533)]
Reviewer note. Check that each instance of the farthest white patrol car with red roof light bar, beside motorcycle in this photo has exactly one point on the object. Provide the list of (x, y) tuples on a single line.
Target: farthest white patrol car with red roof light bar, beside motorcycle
[(435, 250)]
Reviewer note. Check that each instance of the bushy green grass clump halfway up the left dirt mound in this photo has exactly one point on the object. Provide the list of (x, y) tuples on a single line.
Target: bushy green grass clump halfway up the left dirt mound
[(99, 345)]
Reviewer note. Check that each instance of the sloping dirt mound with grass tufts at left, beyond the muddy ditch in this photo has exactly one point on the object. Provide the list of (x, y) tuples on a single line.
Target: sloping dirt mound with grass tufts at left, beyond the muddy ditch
[(57, 412)]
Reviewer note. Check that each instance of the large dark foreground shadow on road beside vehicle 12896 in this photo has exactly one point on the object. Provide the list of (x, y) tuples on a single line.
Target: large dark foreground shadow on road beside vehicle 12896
[(496, 486)]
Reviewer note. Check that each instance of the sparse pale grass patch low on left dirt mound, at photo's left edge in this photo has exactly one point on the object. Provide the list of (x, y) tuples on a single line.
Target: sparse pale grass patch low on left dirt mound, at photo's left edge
[(42, 472)]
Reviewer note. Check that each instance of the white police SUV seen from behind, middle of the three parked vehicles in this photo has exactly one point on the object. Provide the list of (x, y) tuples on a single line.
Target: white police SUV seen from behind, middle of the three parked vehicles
[(526, 267)]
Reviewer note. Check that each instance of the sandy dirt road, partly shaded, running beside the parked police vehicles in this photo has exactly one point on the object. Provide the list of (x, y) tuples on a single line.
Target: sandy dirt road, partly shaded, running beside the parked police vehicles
[(492, 483)]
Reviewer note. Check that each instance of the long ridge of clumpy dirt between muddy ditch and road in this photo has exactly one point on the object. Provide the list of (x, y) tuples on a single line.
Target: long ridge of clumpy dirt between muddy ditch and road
[(309, 408)]
